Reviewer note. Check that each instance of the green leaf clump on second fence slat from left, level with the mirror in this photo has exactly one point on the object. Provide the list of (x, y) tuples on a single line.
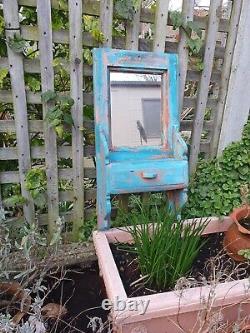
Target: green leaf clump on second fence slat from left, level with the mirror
[(59, 114)]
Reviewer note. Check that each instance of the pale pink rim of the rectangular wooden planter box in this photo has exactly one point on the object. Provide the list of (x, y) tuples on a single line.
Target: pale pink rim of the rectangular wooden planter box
[(166, 303)]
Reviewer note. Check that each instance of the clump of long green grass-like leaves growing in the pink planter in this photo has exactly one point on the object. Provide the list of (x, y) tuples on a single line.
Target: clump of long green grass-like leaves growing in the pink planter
[(165, 247)]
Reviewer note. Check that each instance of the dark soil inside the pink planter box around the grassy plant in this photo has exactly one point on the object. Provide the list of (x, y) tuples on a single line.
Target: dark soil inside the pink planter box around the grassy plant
[(211, 258)]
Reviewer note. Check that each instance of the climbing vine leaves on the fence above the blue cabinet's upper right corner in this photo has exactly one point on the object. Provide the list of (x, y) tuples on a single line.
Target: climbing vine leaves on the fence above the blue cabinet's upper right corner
[(194, 37)]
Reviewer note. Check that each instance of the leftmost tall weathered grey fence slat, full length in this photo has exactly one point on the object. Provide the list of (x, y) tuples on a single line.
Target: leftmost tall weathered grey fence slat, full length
[(11, 17)]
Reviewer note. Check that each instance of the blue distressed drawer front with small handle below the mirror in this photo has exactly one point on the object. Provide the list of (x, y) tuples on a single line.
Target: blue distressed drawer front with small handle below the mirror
[(138, 177)]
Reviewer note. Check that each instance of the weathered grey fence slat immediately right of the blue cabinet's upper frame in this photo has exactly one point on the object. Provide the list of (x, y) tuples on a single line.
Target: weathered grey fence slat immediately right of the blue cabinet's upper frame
[(187, 15)]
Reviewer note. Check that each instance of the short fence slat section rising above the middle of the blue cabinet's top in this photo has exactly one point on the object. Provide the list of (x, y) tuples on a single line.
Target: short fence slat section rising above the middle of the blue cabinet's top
[(133, 29)]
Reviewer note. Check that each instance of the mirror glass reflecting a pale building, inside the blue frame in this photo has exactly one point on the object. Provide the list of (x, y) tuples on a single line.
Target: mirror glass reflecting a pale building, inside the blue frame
[(135, 109)]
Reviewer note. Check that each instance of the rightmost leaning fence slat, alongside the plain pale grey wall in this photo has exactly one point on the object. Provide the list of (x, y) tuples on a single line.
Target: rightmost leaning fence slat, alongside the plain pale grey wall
[(226, 70)]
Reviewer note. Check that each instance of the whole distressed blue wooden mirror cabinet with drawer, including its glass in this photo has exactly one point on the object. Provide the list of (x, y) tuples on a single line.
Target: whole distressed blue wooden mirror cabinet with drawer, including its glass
[(138, 144)]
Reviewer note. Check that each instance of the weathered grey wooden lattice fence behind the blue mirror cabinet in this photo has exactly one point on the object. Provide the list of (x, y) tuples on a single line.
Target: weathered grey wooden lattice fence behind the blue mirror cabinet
[(210, 92)]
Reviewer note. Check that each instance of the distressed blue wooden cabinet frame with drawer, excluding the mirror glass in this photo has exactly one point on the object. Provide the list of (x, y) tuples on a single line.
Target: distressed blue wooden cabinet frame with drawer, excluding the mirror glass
[(142, 169)]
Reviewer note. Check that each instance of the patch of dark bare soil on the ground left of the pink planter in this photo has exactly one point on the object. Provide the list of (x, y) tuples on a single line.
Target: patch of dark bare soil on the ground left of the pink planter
[(81, 291)]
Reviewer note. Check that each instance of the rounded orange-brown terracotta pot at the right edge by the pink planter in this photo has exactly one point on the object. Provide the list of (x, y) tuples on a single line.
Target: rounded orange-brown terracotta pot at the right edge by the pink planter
[(237, 237)]
